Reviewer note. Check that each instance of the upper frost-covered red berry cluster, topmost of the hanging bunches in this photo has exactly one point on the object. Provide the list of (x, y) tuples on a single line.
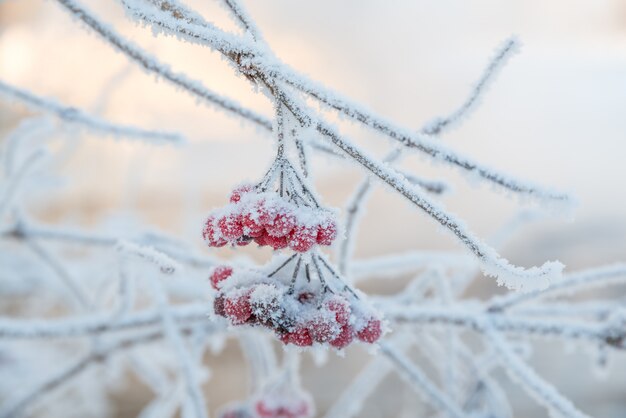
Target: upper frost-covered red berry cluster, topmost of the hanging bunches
[(269, 219)]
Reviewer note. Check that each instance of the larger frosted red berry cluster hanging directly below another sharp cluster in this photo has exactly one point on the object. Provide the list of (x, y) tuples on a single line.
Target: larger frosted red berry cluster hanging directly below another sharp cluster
[(301, 316)]
